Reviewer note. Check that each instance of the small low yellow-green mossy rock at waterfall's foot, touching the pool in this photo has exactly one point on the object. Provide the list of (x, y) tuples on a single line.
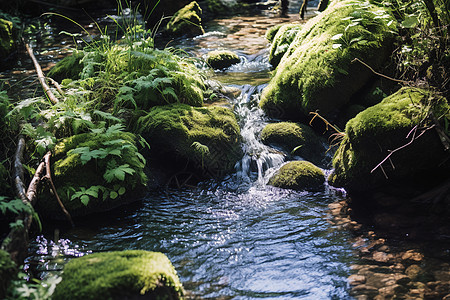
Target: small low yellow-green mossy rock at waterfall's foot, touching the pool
[(299, 175)]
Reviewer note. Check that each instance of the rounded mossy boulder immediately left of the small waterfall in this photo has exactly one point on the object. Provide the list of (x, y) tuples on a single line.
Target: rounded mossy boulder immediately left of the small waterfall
[(203, 139)]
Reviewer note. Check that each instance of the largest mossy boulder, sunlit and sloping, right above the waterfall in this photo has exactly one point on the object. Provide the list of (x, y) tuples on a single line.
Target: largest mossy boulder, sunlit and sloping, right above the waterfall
[(317, 72)]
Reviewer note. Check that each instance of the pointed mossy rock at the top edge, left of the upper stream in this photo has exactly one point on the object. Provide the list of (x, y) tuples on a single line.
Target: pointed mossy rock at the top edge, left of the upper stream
[(186, 21)]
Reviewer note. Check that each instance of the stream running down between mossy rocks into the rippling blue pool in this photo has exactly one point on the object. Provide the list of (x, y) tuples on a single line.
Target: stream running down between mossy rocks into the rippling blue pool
[(238, 238)]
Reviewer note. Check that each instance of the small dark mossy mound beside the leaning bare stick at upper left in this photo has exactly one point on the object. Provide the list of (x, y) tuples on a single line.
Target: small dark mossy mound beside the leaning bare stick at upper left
[(69, 67)]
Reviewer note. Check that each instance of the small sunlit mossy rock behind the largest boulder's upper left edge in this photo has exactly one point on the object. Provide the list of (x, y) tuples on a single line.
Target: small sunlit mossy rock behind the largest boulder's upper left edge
[(281, 42)]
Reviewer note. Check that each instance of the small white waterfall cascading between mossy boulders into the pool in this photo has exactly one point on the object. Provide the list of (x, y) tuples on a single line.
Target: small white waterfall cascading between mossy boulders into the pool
[(258, 158)]
